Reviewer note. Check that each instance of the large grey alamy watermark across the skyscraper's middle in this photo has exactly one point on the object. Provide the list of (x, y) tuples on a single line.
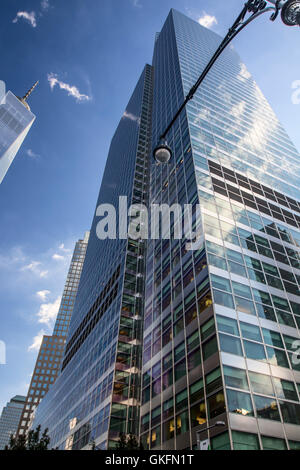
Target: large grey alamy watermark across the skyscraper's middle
[(155, 222)]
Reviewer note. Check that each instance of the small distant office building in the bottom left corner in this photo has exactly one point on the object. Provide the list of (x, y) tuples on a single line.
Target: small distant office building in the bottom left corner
[(10, 418)]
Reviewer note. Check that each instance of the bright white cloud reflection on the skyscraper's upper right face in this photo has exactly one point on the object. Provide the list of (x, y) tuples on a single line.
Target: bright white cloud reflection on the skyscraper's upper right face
[(256, 135)]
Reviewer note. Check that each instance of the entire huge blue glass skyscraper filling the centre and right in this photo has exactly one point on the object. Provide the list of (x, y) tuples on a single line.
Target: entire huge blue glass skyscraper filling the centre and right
[(221, 321)]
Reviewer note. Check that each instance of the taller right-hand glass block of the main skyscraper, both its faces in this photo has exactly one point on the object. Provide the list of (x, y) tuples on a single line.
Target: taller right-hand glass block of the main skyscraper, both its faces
[(221, 322)]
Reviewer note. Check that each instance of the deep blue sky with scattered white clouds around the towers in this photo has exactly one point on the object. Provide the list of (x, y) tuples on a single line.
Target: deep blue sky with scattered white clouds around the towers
[(88, 55)]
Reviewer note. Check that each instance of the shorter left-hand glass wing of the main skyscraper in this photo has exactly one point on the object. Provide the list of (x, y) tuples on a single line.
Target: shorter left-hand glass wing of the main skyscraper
[(97, 395)]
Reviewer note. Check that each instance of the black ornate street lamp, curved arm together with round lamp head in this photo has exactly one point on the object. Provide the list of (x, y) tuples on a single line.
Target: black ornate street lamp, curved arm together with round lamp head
[(290, 14)]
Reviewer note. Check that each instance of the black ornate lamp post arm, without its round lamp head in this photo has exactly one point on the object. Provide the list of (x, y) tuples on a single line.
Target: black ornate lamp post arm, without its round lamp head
[(256, 8)]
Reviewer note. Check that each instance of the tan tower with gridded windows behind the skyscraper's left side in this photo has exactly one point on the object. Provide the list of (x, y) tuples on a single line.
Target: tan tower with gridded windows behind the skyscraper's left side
[(49, 359)]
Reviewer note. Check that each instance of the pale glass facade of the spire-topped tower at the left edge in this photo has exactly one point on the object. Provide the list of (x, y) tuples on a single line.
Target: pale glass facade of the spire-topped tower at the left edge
[(15, 123)]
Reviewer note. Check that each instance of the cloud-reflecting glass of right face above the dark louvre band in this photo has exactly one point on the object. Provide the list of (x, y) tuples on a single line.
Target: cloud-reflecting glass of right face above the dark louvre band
[(238, 128)]
